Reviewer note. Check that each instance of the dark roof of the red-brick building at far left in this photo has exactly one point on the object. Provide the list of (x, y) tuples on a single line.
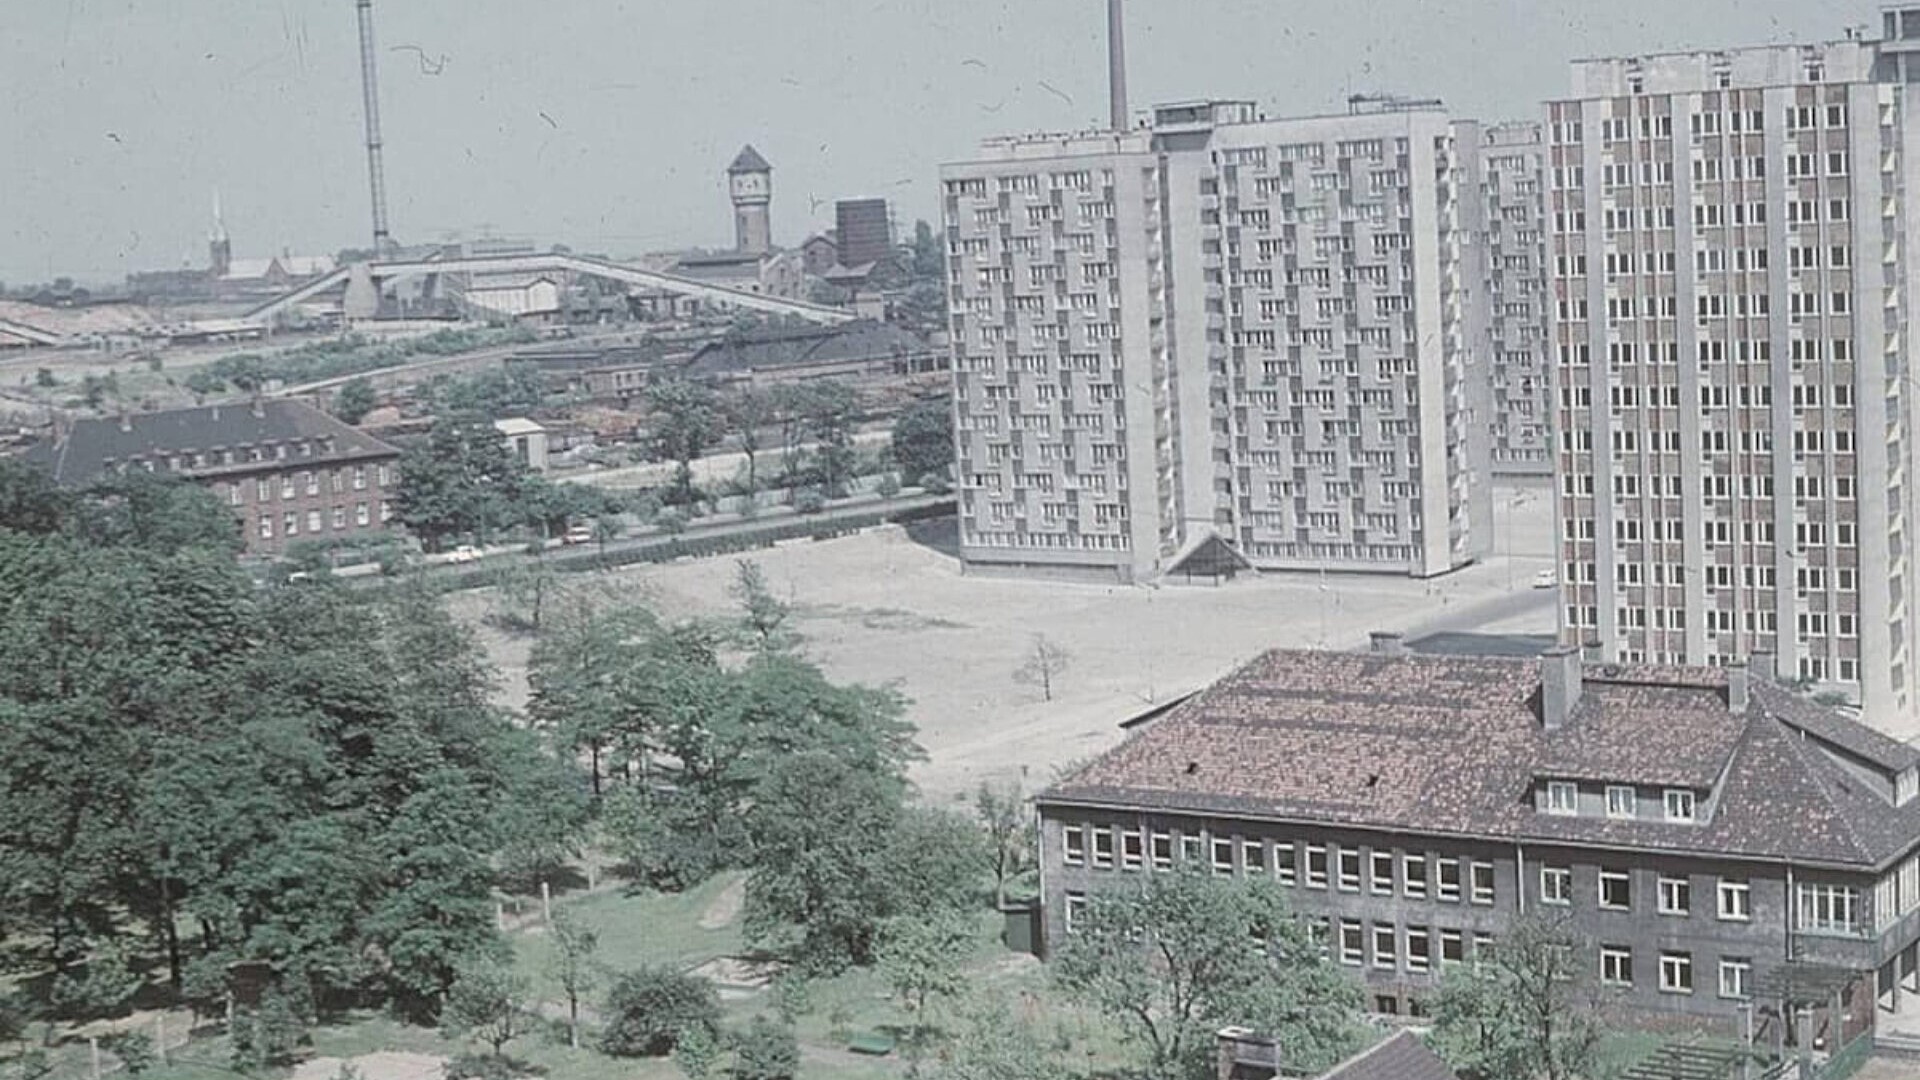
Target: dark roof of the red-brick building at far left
[(95, 447)]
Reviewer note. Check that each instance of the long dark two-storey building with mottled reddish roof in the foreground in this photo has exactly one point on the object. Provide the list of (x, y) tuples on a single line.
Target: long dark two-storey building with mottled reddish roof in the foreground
[(1704, 829)]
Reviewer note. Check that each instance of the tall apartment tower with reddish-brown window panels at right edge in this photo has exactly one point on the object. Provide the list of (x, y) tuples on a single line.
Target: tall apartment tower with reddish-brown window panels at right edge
[(1731, 243)]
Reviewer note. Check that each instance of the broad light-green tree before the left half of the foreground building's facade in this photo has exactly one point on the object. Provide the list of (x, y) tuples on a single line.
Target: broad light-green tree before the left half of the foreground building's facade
[(1184, 954)]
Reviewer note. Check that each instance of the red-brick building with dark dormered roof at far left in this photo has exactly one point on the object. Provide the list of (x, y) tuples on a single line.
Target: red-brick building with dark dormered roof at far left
[(287, 470)]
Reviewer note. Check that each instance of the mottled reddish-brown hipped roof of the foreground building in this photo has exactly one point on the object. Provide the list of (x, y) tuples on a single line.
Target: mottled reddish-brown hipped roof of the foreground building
[(1454, 745)]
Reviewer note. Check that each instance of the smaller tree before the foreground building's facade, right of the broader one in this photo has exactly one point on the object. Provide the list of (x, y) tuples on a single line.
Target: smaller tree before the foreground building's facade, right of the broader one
[(1531, 1010)]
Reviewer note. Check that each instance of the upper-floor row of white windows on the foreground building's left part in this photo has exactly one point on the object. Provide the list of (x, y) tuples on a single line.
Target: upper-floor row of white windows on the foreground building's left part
[(1310, 866)]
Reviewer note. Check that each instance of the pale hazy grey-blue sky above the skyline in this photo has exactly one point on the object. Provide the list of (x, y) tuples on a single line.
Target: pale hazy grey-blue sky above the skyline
[(608, 124)]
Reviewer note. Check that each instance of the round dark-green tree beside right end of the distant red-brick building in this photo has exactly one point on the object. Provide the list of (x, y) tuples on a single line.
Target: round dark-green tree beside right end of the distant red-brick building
[(460, 481)]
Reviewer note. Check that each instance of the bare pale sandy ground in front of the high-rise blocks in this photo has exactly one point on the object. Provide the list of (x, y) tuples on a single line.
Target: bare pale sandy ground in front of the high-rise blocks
[(886, 610)]
